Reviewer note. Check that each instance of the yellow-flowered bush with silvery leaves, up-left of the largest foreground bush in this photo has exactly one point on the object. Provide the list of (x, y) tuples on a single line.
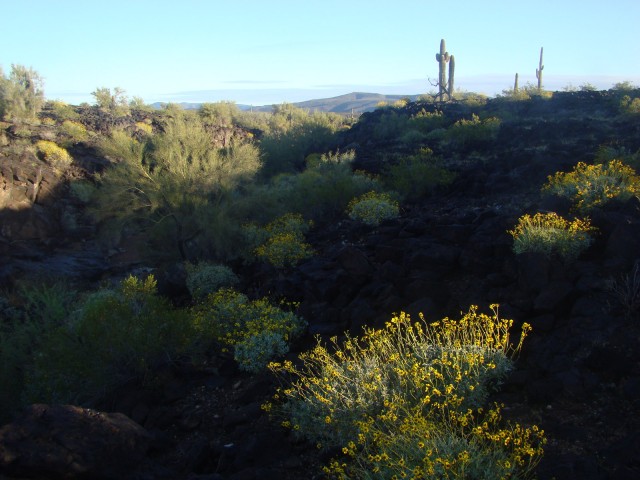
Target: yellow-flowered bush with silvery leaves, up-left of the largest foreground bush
[(256, 330)]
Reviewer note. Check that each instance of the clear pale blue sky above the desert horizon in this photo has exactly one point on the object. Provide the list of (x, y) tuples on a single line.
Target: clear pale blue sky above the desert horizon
[(260, 52)]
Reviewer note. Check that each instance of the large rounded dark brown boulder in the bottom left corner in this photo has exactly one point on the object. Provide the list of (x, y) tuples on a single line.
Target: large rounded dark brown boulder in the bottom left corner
[(71, 442)]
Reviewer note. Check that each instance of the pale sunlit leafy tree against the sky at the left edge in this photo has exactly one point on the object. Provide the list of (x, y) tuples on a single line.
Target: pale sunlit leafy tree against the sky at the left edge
[(21, 94)]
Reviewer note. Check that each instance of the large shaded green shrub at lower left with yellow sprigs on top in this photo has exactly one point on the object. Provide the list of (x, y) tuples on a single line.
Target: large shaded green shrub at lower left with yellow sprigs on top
[(114, 336)]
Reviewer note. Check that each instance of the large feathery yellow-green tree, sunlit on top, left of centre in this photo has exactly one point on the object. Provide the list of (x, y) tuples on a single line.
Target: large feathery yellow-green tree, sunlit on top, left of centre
[(166, 182)]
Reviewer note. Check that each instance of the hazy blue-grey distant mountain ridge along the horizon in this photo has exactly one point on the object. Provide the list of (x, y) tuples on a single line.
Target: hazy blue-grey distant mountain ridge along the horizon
[(354, 102)]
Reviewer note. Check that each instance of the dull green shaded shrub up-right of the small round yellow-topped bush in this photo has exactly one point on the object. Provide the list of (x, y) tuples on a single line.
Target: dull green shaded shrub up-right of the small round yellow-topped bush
[(416, 176)]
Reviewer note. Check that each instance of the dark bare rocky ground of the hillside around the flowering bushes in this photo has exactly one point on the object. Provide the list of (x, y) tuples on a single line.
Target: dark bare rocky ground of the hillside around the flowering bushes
[(578, 376)]
